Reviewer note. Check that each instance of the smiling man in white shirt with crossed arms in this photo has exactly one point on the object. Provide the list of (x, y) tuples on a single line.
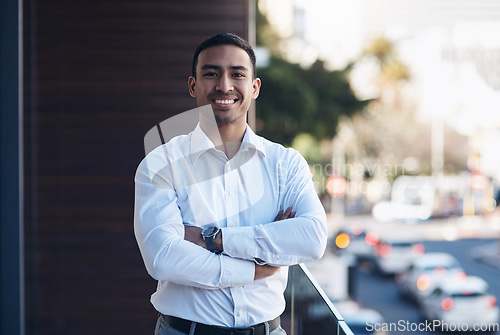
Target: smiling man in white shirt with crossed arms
[(221, 213)]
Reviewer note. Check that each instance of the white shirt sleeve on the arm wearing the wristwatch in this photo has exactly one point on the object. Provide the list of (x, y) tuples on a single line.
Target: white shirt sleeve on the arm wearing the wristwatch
[(290, 241)]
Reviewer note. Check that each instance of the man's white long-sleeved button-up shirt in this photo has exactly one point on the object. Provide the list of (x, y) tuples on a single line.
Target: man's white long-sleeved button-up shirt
[(189, 182)]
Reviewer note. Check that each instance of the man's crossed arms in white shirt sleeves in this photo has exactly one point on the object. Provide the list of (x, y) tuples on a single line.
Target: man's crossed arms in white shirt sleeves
[(175, 252)]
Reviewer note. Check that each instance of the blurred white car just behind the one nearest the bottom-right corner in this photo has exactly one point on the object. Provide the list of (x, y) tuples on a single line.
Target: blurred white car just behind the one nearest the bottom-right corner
[(425, 273)]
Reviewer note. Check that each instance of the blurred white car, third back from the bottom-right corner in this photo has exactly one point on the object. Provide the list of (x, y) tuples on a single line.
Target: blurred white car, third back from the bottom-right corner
[(394, 255)]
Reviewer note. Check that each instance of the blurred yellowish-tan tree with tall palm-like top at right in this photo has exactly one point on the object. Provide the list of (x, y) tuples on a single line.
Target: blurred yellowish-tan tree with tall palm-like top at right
[(388, 131)]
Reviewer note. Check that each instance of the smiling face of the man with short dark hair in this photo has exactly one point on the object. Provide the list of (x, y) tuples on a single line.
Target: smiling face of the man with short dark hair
[(224, 79)]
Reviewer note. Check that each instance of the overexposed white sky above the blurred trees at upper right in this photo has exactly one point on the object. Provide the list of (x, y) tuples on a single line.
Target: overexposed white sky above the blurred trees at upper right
[(421, 32)]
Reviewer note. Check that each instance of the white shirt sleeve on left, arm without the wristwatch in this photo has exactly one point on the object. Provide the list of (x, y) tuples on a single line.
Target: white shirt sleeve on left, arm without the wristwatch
[(159, 231)]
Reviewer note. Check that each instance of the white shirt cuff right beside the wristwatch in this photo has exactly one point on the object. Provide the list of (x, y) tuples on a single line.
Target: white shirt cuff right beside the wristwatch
[(239, 242)]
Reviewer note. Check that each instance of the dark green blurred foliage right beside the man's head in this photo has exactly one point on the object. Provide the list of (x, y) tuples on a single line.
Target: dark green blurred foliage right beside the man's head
[(294, 99)]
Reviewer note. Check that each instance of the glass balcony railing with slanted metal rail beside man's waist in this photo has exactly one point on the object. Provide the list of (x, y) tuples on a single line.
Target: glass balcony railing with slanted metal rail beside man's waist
[(309, 311)]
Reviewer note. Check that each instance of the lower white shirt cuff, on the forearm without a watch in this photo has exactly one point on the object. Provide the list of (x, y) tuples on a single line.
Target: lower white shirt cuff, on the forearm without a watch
[(236, 272)]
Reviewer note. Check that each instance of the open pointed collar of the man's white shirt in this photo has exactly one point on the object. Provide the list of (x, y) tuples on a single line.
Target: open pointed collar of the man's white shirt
[(200, 143)]
